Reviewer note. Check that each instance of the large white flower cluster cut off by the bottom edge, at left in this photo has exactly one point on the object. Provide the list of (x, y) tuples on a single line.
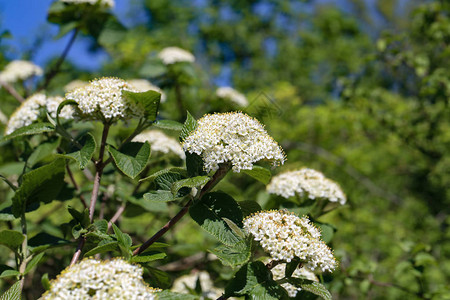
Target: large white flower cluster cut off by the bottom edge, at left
[(96, 279)]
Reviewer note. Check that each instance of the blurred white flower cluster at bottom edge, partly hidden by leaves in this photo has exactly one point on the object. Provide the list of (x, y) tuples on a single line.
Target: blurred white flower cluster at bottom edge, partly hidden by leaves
[(186, 282)]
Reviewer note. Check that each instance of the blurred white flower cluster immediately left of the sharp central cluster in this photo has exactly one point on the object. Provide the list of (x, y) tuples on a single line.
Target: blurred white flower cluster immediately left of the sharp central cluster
[(160, 142)]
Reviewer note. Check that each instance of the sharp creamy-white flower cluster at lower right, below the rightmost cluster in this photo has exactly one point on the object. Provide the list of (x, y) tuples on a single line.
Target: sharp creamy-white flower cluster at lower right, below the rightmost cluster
[(285, 236)]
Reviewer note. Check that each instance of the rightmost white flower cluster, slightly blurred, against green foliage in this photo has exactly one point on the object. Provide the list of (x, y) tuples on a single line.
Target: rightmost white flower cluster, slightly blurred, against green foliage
[(306, 182)]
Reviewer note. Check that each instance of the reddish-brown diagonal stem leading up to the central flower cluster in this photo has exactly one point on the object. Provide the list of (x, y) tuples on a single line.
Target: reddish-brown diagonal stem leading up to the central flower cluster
[(220, 173)]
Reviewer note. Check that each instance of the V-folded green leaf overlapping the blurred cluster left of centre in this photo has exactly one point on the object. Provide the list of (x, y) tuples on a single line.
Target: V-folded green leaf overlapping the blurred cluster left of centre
[(132, 158)]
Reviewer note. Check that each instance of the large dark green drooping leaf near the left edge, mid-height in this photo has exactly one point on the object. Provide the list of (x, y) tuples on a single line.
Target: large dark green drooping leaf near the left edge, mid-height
[(42, 184)]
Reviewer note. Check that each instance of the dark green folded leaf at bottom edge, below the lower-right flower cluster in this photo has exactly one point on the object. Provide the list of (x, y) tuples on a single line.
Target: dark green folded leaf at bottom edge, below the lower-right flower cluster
[(254, 281)]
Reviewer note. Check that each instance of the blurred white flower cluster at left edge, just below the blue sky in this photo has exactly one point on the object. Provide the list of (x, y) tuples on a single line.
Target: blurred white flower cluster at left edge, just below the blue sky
[(19, 70)]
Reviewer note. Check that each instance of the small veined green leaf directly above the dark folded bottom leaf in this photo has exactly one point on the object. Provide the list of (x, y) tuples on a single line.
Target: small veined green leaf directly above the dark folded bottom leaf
[(235, 255)]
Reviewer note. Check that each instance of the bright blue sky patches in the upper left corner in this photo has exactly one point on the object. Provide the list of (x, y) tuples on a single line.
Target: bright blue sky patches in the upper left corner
[(26, 19)]
